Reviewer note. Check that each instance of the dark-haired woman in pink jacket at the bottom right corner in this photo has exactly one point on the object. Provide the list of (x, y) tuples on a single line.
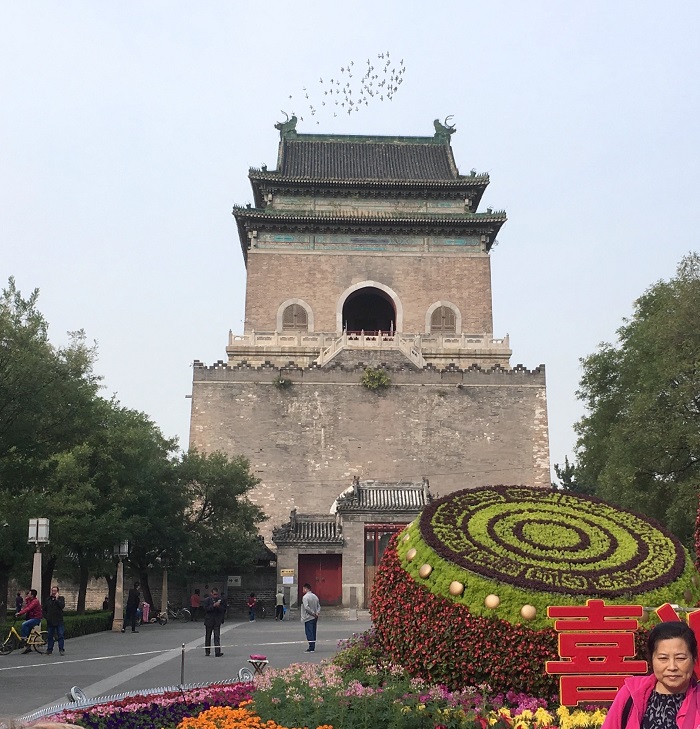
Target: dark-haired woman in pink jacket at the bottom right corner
[(667, 698)]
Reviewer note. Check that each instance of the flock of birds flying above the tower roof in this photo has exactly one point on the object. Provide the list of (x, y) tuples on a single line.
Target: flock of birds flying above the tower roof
[(349, 92)]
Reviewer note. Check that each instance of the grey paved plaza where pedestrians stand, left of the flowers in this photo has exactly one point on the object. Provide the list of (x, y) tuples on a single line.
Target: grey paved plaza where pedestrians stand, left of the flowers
[(104, 664)]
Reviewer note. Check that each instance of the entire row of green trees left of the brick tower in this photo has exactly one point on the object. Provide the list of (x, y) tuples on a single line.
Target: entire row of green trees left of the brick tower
[(103, 473)]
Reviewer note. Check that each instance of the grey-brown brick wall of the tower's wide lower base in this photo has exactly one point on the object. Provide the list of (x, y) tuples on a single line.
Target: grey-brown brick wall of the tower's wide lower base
[(460, 428)]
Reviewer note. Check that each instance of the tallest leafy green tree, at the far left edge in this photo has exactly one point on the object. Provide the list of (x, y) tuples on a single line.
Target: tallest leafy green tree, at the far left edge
[(43, 391)]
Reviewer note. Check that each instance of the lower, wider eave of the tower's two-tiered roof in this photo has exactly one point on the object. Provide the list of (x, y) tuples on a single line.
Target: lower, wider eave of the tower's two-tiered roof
[(254, 219)]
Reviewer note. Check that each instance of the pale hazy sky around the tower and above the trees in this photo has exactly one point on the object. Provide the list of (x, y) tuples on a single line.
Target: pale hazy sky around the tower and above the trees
[(127, 130)]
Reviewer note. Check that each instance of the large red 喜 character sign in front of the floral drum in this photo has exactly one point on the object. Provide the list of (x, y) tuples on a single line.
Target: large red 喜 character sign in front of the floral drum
[(596, 645)]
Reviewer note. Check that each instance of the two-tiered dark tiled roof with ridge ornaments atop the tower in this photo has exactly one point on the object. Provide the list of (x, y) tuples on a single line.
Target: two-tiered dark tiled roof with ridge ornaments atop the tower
[(362, 167)]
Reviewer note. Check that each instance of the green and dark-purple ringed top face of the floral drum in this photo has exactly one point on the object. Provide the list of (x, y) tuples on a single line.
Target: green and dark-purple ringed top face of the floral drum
[(552, 541)]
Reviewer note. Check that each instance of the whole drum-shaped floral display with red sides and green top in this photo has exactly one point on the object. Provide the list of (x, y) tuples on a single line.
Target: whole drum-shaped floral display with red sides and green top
[(461, 596)]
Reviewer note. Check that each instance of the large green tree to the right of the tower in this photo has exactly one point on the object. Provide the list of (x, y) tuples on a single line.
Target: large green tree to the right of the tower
[(639, 442)]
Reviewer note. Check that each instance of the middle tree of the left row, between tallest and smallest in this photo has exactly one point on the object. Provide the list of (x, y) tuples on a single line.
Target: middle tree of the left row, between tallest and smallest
[(103, 490)]
